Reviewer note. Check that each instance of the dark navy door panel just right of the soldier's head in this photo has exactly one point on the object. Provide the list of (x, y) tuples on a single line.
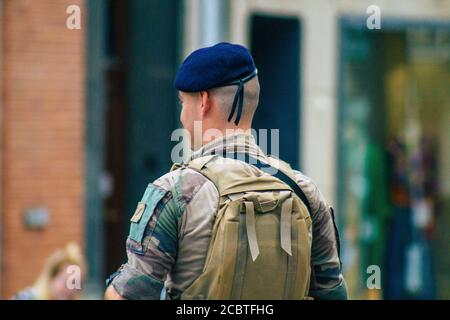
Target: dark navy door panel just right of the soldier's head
[(276, 49)]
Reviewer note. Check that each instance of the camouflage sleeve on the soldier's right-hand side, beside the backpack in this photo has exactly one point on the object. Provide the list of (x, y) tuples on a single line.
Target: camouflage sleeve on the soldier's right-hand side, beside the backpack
[(327, 281)]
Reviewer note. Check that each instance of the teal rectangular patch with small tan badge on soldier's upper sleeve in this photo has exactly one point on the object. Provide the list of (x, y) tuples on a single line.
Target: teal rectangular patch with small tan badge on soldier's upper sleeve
[(144, 211)]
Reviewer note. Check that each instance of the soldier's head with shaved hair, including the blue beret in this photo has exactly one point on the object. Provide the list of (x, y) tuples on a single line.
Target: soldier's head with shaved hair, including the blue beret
[(218, 88)]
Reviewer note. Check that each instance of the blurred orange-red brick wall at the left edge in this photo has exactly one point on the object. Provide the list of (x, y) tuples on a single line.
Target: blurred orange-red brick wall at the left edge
[(43, 70)]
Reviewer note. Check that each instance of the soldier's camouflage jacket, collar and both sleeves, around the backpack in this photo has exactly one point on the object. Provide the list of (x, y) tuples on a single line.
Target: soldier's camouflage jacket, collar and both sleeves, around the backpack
[(170, 247)]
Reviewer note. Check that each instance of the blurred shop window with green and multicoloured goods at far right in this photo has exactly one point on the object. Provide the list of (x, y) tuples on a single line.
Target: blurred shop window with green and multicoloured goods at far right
[(394, 117)]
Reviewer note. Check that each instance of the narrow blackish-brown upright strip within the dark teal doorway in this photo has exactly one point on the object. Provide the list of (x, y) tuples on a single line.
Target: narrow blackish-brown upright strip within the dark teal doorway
[(113, 181)]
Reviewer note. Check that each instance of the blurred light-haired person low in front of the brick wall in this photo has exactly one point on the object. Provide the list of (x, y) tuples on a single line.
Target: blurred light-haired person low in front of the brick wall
[(58, 281)]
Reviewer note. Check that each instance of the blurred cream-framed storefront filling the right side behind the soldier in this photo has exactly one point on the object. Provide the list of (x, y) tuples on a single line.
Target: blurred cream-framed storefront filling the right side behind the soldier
[(374, 107)]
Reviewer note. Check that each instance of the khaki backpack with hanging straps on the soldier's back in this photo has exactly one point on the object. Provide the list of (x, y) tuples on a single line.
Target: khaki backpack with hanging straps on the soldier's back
[(261, 238)]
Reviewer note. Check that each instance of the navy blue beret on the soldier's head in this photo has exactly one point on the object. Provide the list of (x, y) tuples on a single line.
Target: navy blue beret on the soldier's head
[(215, 66)]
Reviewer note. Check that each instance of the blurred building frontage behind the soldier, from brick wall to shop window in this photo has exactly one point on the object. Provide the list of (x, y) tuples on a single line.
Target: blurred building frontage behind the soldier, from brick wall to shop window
[(86, 118)]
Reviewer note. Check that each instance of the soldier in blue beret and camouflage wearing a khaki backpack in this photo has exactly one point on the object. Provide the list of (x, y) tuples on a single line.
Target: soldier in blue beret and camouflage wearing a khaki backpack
[(231, 222)]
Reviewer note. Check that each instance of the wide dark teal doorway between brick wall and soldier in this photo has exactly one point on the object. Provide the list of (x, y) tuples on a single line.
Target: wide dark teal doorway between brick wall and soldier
[(131, 113)]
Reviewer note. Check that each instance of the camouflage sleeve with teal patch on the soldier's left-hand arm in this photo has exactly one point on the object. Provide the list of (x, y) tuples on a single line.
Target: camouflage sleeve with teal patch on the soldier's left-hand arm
[(151, 245)]
